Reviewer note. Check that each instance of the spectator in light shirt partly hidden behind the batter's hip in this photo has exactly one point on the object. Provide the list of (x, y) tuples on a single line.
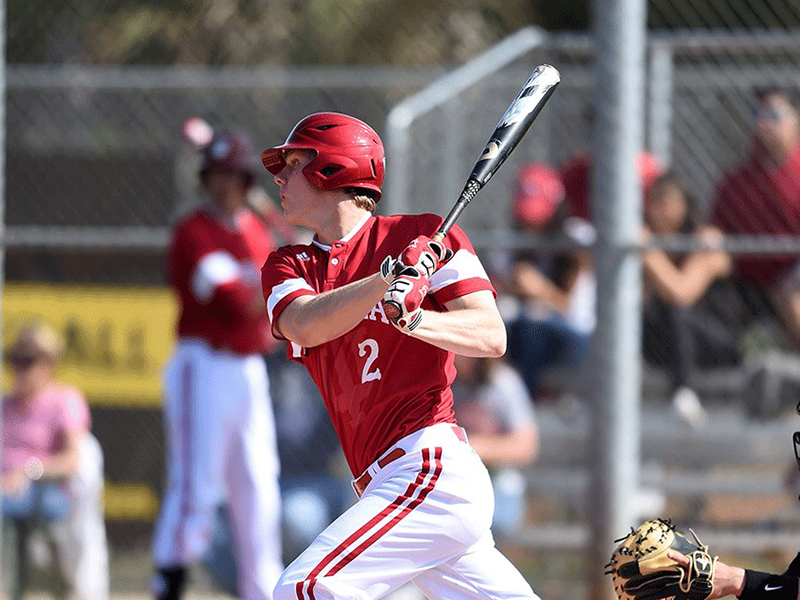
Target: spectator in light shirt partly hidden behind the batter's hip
[(492, 404)]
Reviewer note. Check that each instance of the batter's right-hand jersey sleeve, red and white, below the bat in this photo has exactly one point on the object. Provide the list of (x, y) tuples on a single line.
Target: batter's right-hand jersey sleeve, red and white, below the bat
[(461, 275)]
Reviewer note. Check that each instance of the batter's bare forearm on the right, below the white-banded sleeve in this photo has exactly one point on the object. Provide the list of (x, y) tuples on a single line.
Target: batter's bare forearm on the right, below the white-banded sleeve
[(469, 332)]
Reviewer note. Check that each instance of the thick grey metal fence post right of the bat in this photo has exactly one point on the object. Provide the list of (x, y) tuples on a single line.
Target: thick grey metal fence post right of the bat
[(619, 37)]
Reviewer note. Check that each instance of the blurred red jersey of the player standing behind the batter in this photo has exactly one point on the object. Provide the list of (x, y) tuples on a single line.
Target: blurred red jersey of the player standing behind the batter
[(213, 266)]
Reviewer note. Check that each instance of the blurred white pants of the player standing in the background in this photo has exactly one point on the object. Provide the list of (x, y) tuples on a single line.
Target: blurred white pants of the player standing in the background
[(221, 445)]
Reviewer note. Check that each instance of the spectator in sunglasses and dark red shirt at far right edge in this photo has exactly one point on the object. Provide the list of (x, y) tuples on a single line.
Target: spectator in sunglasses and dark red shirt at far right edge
[(762, 196)]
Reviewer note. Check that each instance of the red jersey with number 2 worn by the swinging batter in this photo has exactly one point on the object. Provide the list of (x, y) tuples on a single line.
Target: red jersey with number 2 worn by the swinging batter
[(378, 384)]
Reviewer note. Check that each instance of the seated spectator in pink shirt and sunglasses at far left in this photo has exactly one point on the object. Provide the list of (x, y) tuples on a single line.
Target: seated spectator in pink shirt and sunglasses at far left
[(44, 425)]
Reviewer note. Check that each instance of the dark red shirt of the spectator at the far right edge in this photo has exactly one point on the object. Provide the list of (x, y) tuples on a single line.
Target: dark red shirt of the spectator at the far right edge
[(760, 198)]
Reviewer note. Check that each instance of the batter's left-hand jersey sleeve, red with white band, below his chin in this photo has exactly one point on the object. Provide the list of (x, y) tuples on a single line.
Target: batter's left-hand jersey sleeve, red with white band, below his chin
[(282, 281)]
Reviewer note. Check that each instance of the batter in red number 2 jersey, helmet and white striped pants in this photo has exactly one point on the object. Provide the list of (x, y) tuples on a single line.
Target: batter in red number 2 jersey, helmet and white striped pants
[(426, 501)]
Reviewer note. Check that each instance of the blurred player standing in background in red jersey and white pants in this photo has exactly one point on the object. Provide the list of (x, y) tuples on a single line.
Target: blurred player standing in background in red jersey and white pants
[(219, 423)]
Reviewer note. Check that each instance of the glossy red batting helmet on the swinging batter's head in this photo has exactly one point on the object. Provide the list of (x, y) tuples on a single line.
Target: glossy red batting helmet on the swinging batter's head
[(348, 152)]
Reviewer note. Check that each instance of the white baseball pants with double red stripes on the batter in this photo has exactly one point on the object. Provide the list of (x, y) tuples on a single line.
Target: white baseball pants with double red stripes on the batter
[(424, 517)]
